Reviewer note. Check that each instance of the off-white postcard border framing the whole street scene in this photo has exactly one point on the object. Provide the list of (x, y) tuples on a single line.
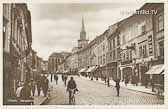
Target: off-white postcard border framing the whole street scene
[(84, 106)]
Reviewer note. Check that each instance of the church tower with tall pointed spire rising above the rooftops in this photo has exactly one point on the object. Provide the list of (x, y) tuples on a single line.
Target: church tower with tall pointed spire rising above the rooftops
[(82, 42)]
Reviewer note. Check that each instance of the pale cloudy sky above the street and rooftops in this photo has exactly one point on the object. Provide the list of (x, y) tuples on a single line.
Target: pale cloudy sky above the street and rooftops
[(56, 26)]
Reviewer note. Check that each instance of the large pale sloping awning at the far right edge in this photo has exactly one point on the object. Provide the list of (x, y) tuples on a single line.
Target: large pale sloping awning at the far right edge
[(157, 69)]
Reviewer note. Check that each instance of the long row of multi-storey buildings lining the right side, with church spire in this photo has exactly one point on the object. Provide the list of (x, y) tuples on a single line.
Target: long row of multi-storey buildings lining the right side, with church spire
[(127, 48)]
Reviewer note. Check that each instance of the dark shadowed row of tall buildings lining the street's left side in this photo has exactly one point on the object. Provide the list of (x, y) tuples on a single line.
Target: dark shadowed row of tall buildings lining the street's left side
[(20, 61)]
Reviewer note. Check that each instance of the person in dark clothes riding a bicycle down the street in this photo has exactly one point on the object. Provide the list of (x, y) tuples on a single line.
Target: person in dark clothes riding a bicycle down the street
[(71, 87)]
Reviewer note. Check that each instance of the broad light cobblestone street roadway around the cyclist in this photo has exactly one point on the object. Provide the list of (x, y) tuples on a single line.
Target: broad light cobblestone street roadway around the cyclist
[(93, 93)]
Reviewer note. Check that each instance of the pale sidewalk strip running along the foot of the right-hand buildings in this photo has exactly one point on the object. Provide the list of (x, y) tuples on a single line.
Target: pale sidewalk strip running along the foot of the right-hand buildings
[(122, 84)]
